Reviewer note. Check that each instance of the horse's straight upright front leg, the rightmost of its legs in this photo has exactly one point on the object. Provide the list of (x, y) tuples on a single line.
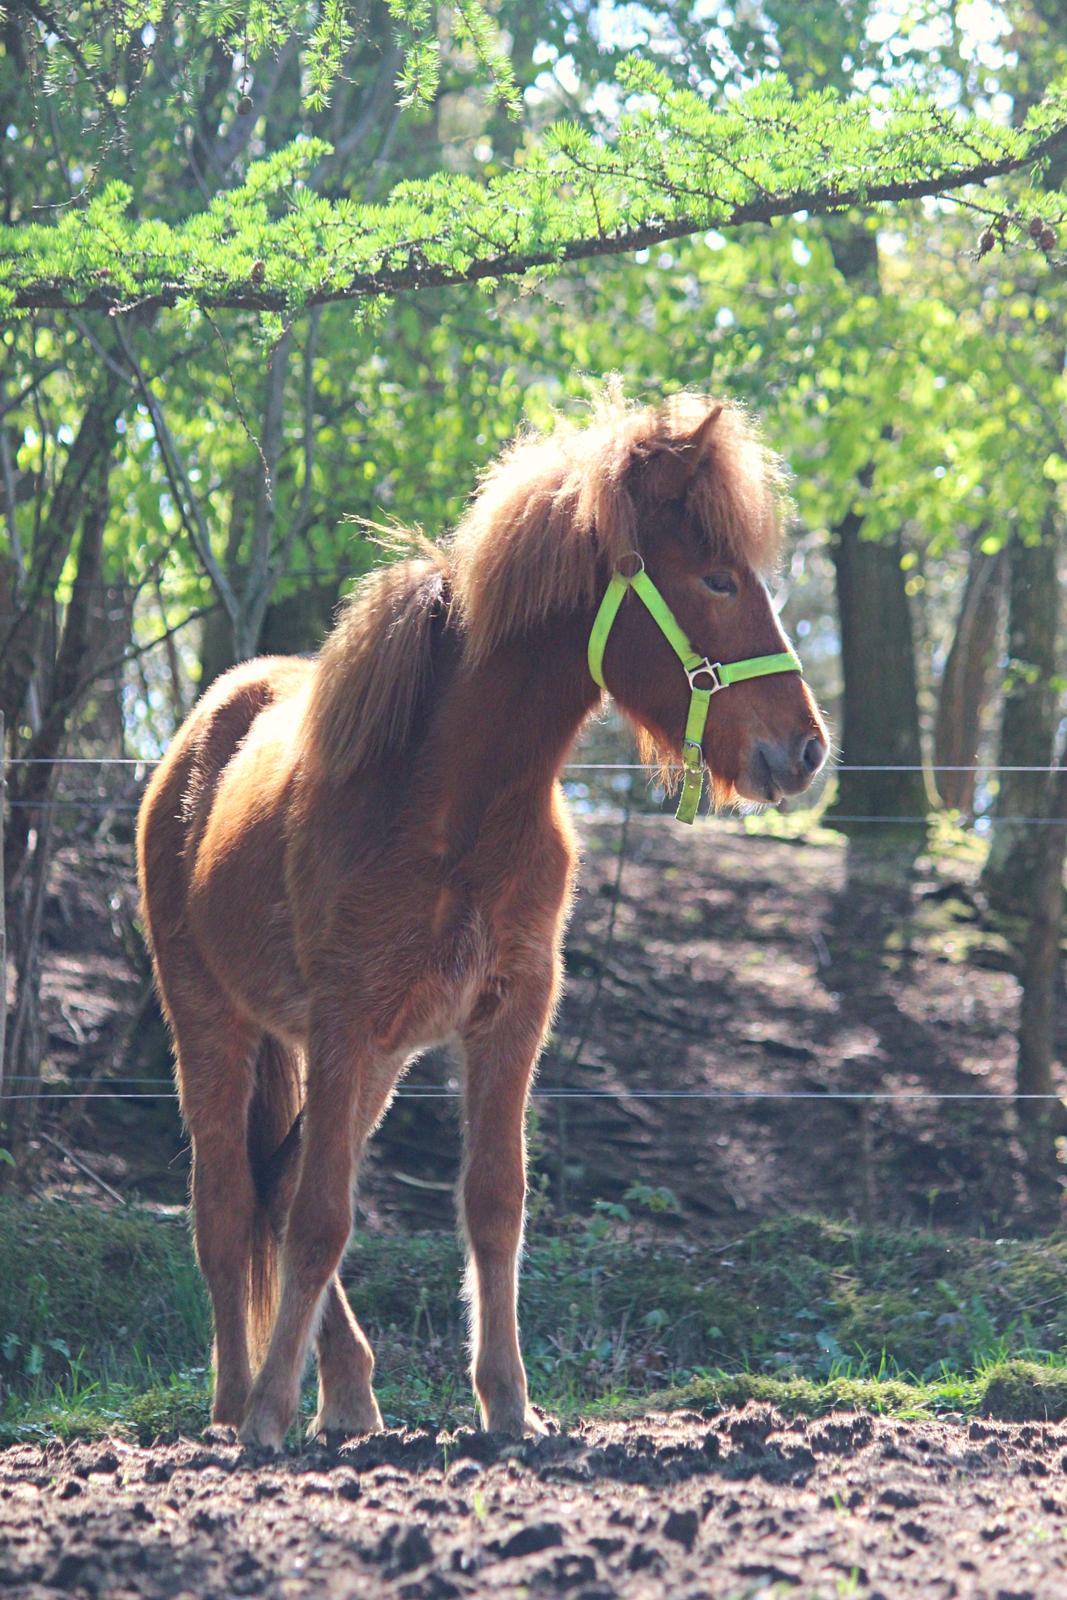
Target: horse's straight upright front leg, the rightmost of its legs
[(502, 1047)]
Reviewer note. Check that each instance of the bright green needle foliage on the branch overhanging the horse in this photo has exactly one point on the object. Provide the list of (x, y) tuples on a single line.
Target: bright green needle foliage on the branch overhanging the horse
[(673, 162)]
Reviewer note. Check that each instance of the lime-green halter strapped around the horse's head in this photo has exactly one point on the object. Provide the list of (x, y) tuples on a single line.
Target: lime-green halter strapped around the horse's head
[(719, 673)]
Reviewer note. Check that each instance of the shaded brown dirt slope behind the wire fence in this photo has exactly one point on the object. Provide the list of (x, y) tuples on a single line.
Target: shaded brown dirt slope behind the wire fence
[(730, 964)]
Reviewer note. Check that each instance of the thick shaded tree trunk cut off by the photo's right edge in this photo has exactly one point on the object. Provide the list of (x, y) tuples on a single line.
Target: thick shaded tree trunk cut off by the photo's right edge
[(1029, 719)]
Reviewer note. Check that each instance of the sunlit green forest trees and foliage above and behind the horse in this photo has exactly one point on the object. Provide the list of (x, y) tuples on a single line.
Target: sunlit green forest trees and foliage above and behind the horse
[(270, 270)]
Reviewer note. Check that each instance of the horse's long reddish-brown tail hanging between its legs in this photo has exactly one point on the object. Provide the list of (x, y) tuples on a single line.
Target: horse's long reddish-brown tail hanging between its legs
[(273, 1145)]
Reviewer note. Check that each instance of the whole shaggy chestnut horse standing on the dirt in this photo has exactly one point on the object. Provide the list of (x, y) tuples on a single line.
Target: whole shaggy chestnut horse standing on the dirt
[(351, 858)]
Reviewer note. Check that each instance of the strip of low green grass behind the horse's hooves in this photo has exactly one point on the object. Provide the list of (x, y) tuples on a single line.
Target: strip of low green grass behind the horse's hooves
[(105, 1324)]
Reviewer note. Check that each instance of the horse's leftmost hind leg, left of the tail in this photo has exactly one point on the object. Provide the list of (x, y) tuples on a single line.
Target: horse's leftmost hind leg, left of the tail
[(217, 1054)]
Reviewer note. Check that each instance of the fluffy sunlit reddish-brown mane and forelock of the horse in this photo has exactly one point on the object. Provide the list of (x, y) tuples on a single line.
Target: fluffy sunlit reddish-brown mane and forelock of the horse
[(553, 518)]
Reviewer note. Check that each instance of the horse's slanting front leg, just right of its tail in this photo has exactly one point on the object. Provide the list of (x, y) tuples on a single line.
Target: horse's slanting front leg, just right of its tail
[(346, 1095)]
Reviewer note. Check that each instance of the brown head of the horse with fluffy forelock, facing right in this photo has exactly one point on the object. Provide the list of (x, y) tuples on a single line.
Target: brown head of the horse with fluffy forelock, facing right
[(706, 513)]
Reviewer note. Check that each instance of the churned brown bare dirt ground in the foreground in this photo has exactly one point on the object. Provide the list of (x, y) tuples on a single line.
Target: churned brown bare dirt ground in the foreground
[(745, 1503)]
